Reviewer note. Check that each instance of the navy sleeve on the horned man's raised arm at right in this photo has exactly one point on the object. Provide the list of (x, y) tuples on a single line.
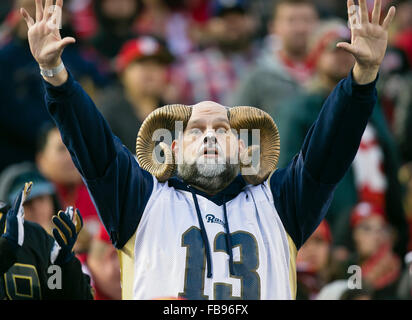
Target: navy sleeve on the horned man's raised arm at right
[(304, 189)]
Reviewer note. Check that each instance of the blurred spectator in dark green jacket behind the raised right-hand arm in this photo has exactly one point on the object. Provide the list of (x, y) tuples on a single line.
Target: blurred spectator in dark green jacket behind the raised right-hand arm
[(373, 174)]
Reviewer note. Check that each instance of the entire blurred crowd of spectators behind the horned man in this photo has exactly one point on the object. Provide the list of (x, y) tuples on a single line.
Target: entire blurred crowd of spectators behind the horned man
[(133, 56)]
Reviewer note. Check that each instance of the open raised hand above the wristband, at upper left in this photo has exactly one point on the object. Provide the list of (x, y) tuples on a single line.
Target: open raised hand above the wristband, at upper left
[(45, 42)]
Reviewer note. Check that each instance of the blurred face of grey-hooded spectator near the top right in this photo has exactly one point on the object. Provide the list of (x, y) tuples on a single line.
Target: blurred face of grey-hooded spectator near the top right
[(293, 25)]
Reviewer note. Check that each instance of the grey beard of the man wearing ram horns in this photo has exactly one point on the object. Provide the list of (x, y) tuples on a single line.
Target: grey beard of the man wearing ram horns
[(211, 177)]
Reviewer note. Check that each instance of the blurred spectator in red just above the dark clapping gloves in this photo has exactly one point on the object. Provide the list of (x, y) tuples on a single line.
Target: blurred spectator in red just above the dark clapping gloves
[(54, 162)]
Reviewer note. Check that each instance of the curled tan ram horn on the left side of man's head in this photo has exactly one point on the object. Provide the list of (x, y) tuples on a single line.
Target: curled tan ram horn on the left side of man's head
[(162, 118)]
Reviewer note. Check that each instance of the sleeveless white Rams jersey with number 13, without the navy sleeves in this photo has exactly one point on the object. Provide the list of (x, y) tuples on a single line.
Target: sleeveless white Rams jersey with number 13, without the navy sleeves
[(162, 258)]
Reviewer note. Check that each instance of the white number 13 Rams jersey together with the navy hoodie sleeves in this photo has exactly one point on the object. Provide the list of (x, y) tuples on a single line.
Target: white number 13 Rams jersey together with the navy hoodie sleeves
[(156, 225)]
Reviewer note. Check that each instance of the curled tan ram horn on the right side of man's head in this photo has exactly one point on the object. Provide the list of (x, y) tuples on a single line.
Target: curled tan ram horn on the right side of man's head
[(244, 117)]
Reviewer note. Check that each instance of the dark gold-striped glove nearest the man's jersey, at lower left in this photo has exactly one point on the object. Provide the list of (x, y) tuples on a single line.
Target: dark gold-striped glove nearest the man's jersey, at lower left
[(67, 227)]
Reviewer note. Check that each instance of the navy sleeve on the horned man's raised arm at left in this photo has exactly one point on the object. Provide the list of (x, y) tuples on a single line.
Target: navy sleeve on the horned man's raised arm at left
[(119, 188)]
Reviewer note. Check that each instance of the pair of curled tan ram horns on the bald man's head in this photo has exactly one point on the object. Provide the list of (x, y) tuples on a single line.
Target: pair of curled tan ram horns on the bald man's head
[(241, 117)]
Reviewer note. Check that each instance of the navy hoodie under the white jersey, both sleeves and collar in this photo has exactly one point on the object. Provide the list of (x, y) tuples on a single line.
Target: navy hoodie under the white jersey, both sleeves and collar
[(302, 191)]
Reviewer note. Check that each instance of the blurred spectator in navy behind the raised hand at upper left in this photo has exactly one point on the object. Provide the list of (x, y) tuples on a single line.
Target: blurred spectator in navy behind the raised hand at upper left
[(22, 94)]
